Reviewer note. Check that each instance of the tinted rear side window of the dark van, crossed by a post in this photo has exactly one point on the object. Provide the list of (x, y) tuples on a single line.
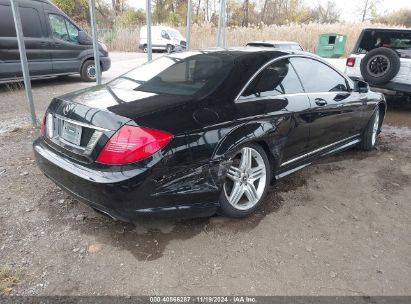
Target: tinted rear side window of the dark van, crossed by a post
[(30, 20)]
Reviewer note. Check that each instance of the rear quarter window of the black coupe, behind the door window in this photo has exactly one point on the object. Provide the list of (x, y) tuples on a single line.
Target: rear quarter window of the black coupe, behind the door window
[(278, 78)]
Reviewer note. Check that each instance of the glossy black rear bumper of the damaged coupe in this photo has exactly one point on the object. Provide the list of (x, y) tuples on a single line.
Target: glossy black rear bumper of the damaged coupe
[(123, 195)]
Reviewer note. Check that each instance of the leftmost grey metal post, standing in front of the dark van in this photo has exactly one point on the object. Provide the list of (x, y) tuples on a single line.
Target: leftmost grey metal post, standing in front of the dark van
[(23, 59)]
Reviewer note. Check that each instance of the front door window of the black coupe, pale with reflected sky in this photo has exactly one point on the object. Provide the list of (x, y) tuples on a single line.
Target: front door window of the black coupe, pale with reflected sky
[(318, 77)]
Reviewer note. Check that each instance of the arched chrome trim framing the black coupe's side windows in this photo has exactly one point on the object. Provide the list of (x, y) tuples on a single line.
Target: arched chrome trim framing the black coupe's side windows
[(348, 82)]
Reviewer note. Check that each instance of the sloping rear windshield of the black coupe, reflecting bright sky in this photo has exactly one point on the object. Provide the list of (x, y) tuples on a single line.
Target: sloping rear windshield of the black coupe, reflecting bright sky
[(176, 75)]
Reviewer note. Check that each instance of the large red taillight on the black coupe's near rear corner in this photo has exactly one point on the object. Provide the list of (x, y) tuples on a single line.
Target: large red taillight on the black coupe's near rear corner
[(131, 144)]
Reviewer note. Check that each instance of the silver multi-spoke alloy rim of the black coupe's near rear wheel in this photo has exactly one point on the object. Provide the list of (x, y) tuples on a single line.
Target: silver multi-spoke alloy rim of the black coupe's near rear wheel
[(246, 179)]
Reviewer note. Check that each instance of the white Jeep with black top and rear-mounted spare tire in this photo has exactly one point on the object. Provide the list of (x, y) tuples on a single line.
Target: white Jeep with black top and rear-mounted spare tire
[(382, 57)]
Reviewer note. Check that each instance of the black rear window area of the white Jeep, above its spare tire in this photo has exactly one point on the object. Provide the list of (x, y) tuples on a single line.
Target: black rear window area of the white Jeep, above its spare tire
[(391, 39)]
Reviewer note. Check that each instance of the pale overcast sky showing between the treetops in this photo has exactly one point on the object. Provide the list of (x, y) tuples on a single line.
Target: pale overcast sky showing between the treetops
[(349, 8)]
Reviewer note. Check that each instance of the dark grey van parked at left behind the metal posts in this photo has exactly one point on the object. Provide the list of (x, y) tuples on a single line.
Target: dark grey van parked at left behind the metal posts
[(55, 44)]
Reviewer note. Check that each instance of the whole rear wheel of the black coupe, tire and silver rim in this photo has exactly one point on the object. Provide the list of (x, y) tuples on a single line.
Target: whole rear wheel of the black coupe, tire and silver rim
[(247, 182)]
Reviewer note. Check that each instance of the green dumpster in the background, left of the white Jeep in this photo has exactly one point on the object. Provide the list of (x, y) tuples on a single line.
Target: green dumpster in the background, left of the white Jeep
[(331, 45)]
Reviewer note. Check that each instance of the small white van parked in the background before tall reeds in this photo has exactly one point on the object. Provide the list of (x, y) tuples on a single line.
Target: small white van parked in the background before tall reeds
[(163, 38)]
